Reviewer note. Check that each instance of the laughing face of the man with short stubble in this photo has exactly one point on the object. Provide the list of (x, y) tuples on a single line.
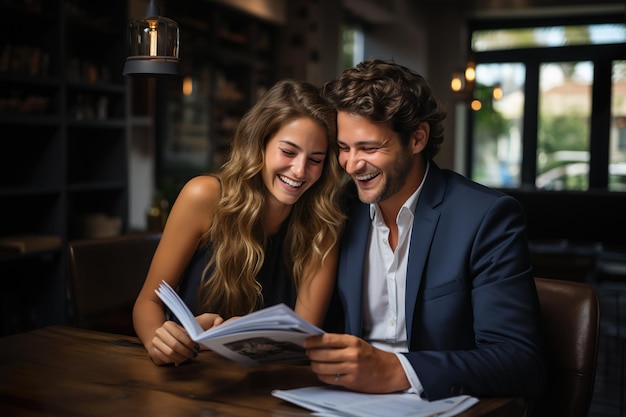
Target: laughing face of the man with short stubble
[(372, 154)]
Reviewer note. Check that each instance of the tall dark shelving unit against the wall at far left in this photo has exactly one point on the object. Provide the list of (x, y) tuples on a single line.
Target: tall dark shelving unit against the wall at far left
[(63, 165)]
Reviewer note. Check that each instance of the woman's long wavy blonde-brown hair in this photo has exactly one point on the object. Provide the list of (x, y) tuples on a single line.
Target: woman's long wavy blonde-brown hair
[(229, 286)]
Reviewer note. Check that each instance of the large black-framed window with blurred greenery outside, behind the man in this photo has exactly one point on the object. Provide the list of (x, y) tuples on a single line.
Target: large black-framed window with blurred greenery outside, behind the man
[(543, 91)]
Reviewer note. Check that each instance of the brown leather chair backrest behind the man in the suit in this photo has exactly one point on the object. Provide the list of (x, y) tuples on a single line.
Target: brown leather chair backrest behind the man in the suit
[(570, 316)]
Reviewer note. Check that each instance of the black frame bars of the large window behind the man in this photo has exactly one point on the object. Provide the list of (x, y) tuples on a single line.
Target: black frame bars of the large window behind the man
[(601, 56)]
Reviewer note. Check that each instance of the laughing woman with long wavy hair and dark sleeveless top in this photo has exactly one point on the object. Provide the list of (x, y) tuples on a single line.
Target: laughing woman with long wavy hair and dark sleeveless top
[(264, 230)]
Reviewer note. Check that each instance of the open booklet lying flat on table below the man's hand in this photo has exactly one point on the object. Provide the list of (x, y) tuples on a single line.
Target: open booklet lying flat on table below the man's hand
[(332, 401)]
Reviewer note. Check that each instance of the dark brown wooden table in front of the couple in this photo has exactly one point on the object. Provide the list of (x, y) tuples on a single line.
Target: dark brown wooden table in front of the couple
[(63, 371)]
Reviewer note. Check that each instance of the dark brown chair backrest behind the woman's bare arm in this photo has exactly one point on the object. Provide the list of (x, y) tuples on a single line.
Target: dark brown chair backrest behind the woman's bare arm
[(105, 277)]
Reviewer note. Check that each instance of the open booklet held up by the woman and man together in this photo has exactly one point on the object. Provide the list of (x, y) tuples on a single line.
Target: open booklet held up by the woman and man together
[(271, 335)]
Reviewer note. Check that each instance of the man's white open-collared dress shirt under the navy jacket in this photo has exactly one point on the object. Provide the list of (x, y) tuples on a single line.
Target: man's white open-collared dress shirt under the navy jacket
[(384, 322)]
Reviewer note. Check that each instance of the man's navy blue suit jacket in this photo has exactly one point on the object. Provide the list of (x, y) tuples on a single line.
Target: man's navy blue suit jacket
[(472, 311)]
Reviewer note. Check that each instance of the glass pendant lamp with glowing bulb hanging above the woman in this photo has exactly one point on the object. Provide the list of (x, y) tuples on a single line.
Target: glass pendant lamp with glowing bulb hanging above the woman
[(153, 45)]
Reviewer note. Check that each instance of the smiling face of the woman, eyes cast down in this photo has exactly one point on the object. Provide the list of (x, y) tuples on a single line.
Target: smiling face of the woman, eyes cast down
[(294, 159)]
